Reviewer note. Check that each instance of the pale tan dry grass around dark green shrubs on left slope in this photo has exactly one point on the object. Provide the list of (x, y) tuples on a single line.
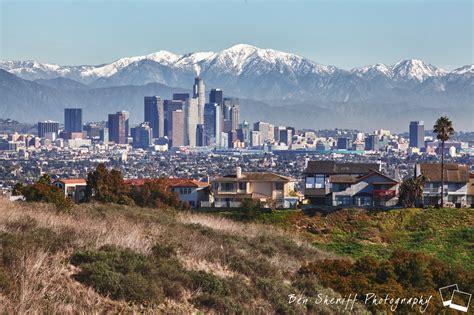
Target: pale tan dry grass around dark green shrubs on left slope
[(204, 243)]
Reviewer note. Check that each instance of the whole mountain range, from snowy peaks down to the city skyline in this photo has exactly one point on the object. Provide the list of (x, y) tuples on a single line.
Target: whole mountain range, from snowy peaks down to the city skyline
[(281, 86)]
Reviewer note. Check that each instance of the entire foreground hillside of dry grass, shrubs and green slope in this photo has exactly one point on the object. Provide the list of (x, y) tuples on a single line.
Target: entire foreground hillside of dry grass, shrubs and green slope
[(112, 258)]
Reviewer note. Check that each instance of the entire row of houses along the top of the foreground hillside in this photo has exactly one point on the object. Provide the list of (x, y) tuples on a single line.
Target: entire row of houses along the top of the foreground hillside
[(325, 183)]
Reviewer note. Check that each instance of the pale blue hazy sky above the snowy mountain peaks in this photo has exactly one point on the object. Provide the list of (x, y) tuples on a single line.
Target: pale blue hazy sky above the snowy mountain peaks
[(342, 33)]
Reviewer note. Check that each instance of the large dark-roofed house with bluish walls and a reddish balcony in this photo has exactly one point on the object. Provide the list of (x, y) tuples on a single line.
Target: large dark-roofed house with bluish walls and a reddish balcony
[(348, 184)]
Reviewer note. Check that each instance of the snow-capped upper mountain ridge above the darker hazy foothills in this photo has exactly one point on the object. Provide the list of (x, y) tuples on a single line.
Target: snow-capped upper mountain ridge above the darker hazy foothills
[(249, 71)]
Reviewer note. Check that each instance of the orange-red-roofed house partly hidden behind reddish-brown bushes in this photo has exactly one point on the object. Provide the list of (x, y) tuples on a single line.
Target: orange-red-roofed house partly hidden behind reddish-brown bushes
[(188, 190)]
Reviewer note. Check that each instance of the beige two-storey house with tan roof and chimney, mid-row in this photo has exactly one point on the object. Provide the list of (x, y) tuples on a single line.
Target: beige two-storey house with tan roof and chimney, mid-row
[(265, 187)]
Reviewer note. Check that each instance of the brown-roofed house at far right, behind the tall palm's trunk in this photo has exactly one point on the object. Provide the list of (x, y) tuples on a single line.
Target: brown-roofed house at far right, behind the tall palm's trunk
[(456, 182)]
